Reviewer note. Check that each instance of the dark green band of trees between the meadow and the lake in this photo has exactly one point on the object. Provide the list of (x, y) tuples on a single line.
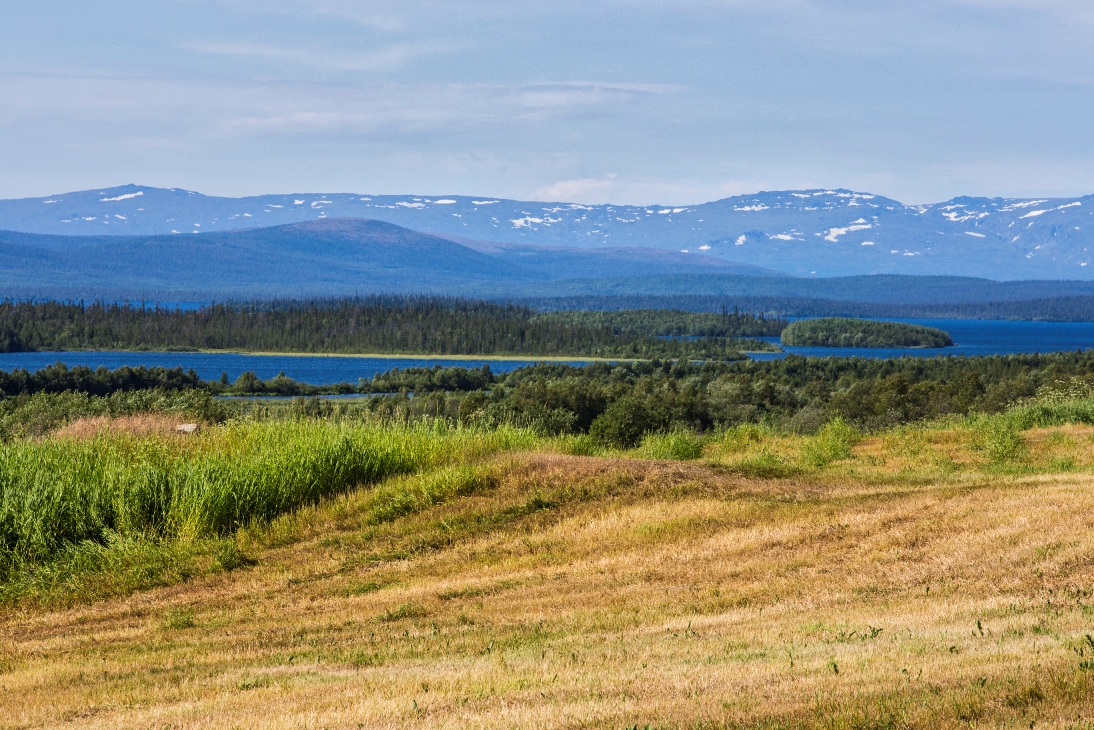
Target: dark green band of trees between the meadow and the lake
[(619, 402)]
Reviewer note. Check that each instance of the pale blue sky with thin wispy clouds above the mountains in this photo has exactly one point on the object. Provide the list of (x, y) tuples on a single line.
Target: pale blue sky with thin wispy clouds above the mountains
[(625, 101)]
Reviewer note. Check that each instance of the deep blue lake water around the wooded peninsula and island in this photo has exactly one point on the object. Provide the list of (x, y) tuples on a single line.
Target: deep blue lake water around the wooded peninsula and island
[(972, 338)]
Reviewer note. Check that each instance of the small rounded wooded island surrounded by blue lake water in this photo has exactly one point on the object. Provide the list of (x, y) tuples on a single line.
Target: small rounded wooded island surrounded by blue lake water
[(841, 332)]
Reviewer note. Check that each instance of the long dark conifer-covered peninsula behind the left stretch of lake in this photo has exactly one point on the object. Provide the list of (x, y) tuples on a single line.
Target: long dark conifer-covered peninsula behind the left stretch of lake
[(404, 326)]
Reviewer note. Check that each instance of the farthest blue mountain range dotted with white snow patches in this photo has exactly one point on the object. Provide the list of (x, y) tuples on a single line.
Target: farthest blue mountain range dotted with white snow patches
[(832, 233)]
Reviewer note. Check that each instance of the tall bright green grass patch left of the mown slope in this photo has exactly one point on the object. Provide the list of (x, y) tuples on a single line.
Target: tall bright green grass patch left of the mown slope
[(59, 493)]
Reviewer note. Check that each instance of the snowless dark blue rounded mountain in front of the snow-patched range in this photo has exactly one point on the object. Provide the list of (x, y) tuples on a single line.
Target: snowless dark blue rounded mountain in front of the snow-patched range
[(312, 259)]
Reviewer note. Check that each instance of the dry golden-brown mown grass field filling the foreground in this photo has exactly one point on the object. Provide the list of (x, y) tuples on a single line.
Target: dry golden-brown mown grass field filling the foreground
[(938, 576)]
